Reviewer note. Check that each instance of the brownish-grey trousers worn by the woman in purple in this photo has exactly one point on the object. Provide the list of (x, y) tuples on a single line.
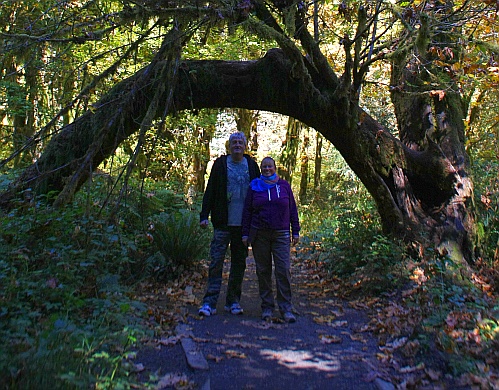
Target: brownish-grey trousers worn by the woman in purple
[(273, 245)]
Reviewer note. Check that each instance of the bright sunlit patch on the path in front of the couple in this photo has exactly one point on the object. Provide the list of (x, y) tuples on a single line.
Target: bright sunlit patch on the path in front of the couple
[(303, 359)]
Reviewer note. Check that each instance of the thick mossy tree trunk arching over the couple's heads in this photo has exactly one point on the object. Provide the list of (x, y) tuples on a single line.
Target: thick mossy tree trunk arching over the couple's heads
[(386, 166)]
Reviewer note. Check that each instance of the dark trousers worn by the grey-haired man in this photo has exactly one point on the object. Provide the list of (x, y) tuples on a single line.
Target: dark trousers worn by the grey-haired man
[(239, 253)]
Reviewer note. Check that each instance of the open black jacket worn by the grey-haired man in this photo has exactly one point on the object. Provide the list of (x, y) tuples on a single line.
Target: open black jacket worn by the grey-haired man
[(215, 195)]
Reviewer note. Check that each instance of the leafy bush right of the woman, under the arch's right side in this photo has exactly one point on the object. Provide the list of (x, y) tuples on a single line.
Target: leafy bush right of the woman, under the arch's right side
[(352, 246)]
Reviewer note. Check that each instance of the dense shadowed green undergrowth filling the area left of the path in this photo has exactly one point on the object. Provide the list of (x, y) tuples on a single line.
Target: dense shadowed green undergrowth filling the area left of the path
[(68, 318)]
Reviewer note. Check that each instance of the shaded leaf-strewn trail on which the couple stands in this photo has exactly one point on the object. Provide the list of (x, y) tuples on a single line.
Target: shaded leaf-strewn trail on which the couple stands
[(327, 348)]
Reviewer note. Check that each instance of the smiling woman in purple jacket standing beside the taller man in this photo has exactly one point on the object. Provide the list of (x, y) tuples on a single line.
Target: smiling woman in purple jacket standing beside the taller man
[(269, 211)]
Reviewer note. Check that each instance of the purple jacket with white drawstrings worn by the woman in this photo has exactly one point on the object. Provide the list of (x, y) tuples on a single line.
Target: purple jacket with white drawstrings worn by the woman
[(273, 209)]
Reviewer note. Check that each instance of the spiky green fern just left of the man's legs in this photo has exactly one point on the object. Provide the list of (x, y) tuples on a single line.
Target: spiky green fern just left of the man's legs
[(180, 241)]
